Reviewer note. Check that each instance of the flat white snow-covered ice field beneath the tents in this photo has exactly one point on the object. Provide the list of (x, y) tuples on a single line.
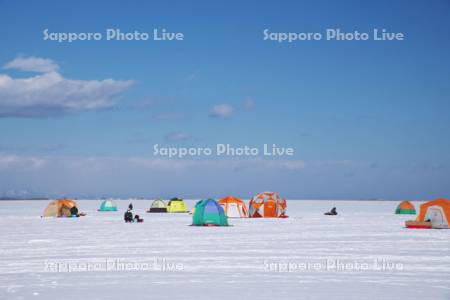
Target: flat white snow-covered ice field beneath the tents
[(363, 253)]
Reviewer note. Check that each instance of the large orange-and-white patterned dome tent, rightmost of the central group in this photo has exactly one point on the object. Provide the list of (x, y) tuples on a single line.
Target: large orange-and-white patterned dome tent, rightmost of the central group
[(267, 205)]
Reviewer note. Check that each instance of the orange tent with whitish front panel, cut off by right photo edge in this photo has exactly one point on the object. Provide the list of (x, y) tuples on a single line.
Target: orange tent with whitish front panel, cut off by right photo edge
[(437, 212)]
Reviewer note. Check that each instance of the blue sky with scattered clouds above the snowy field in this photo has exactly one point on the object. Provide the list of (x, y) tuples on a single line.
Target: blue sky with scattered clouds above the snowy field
[(368, 119)]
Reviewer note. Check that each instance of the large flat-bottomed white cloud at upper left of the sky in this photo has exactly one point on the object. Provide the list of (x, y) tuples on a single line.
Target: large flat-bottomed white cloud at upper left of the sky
[(50, 94)]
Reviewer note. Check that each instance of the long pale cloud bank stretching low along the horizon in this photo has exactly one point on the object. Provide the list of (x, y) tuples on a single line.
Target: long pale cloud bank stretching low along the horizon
[(152, 176)]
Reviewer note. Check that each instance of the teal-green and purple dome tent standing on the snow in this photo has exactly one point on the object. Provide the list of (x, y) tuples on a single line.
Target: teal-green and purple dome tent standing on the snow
[(209, 213)]
